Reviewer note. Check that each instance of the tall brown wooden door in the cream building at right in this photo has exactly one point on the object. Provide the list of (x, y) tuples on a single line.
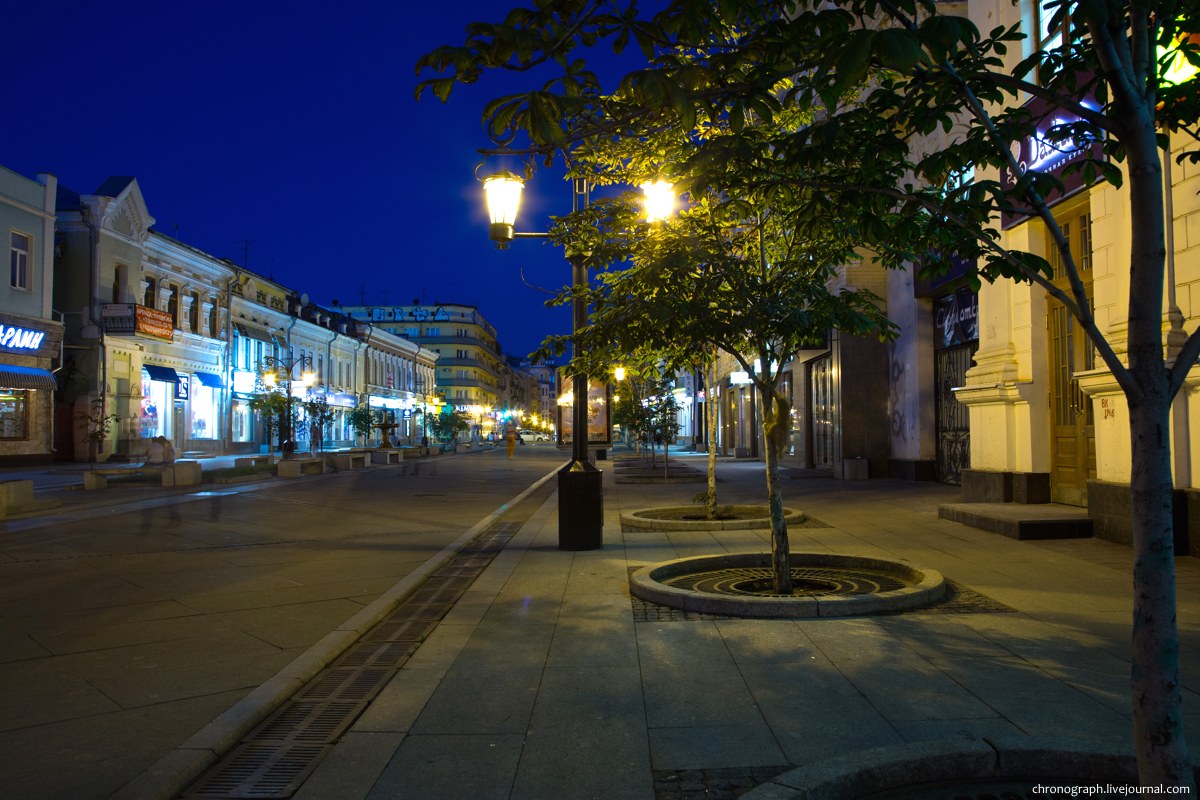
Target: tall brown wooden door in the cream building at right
[(1073, 431)]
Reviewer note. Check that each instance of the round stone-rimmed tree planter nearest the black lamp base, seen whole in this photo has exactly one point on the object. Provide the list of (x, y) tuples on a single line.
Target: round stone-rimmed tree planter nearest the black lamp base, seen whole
[(739, 585)]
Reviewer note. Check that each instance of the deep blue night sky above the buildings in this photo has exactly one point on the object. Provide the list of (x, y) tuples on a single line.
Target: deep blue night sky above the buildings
[(291, 125)]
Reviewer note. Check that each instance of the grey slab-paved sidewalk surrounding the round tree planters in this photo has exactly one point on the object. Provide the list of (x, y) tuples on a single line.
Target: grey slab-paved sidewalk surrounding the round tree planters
[(548, 682)]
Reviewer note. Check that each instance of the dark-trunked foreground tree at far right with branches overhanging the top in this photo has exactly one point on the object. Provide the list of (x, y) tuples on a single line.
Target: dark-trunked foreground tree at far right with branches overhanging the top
[(885, 76)]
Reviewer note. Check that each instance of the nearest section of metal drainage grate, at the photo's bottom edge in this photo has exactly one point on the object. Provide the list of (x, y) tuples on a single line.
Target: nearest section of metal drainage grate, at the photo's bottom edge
[(255, 771)]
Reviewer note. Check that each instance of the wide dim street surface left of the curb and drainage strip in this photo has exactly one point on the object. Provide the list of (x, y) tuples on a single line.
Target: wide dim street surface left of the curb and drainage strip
[(134, 617)]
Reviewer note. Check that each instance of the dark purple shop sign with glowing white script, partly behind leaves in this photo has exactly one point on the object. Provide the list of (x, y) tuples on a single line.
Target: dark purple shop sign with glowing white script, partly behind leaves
[(1040, 154)]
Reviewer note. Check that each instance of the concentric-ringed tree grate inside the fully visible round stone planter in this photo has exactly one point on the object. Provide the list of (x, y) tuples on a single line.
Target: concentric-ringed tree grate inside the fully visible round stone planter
[(806, 582)]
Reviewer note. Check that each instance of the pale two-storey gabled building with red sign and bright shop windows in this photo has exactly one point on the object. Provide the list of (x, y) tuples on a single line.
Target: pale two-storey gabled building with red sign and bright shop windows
[(146, 328)]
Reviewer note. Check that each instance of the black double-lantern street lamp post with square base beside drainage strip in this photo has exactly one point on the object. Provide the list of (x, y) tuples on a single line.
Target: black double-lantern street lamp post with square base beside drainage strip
[(580, 484)]
